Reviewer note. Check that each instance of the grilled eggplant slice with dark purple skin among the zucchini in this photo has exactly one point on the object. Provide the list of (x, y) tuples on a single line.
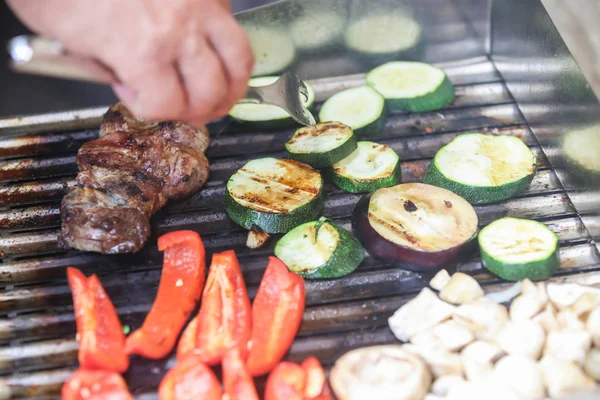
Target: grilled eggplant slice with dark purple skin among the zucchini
[(415, 226)]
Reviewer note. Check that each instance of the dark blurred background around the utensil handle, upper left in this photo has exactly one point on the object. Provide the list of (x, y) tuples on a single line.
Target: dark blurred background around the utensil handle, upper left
[(22, 94)]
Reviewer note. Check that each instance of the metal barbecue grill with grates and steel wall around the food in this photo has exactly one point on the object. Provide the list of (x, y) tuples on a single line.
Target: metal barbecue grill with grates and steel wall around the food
[(513, 75)]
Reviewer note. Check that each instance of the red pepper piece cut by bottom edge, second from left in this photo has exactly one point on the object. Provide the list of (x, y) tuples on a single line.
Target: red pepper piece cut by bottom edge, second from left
[(190, 379)]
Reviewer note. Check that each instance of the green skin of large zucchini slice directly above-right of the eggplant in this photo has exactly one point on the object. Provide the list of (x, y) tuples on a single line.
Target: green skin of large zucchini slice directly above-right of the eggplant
[(477, 194)]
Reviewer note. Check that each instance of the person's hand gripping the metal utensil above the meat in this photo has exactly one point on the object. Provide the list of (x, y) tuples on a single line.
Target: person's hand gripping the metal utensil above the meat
[(186, 60)]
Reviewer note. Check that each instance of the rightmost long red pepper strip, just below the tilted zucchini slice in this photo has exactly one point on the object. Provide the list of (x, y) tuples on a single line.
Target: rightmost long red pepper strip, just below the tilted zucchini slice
[(277, 314)]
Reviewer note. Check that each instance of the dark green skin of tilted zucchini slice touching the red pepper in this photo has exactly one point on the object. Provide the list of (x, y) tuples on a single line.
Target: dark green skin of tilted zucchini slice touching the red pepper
[(346, 257)]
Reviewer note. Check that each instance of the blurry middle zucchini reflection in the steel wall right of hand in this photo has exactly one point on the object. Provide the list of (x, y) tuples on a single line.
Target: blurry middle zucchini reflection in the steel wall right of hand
[(317, 31)]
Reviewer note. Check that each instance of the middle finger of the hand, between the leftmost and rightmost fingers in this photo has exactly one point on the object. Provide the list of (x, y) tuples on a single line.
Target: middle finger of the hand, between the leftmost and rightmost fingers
[(205, 83)]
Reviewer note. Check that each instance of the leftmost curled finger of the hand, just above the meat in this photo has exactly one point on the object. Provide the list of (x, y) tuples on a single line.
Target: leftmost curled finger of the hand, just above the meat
[(154, 93)]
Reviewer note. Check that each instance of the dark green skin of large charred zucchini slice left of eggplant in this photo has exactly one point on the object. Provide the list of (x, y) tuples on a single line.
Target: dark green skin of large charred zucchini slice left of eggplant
[(272, 222)]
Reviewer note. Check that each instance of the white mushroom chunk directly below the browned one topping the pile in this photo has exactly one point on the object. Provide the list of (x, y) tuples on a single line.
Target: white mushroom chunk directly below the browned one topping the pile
[(484, 317)]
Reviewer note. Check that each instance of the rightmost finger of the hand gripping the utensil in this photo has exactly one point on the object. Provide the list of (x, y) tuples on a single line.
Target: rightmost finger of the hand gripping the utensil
[(235, 53)]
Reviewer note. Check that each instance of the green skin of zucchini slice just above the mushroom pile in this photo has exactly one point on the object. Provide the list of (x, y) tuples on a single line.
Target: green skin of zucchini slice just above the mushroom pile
[(535, 271)]
